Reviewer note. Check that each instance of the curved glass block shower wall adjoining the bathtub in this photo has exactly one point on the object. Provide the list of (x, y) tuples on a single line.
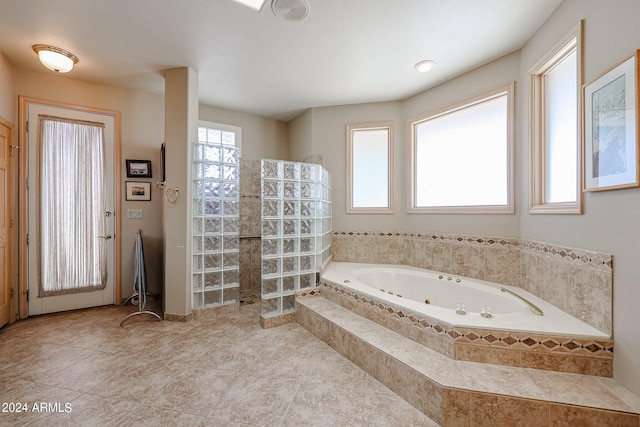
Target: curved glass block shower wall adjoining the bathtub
[(296, 230)]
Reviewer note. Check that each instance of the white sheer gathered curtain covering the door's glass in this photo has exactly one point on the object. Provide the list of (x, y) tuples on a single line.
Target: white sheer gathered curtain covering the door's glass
[(72, 206)]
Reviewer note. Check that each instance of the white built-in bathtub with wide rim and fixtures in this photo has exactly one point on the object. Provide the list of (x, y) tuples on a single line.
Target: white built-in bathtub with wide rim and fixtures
[(444, 296)]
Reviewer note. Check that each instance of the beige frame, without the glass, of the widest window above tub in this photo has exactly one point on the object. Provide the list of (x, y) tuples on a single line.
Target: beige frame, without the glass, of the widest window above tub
[(507, 90)]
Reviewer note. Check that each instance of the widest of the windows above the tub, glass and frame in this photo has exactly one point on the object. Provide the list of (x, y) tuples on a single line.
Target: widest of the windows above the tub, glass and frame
[(462, 157)]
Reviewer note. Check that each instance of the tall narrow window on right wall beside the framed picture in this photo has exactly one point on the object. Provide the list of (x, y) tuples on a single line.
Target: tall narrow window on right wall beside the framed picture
[(555, 129)]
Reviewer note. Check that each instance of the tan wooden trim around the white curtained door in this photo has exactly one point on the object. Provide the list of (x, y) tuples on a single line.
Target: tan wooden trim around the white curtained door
[(23, 286)]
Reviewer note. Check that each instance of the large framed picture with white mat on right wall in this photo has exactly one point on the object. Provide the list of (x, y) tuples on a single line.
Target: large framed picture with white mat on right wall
[(611, 128)]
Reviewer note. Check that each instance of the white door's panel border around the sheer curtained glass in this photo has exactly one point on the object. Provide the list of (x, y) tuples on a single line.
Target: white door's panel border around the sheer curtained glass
[(48, 304)]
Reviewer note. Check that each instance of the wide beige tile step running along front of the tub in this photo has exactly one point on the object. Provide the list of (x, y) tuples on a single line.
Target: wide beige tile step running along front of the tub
[(455, 392)]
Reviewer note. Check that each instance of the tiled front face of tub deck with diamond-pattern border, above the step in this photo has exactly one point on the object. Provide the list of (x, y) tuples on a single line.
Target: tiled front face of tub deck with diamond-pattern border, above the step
[(595, 355)]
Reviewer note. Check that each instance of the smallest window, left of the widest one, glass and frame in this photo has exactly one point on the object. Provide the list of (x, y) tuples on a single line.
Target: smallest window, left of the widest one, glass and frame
[(370, 168)]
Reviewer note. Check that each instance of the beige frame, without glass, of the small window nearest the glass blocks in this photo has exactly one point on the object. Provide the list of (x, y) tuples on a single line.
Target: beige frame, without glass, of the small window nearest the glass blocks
[(351, 129)]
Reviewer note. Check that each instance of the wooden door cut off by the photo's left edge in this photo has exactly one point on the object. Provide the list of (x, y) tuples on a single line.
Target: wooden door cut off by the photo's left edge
[(6, 222)]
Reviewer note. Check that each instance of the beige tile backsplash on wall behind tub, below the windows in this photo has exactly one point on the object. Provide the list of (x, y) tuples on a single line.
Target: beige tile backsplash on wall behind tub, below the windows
[(578, 282)]
